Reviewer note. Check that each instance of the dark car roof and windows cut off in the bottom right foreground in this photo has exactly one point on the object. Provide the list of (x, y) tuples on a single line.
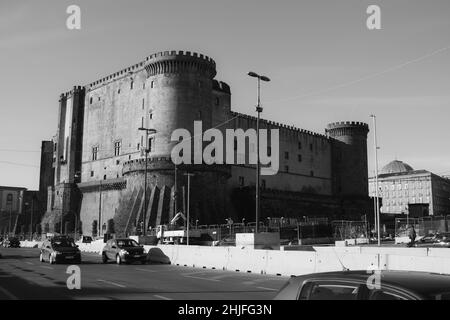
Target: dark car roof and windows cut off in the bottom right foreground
[(357, 285)]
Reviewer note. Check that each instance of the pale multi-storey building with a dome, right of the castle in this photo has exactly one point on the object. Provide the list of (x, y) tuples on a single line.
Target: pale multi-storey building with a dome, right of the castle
[(416, 193)]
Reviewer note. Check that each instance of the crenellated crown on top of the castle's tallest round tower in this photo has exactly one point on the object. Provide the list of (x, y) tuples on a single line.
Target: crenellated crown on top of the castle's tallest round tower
[(180, 62)]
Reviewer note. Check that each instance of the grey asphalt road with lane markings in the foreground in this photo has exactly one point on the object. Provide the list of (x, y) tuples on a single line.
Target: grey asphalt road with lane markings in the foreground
[(22, 276)]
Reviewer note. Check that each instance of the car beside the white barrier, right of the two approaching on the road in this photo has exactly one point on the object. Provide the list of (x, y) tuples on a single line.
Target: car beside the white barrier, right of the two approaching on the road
[(123, 251)]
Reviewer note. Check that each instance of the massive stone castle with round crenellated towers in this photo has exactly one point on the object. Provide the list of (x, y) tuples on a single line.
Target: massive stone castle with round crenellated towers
[(99, 165)]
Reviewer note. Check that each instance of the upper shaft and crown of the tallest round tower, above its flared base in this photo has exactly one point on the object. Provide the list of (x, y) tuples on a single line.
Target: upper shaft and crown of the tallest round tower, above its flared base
[(180, 92)]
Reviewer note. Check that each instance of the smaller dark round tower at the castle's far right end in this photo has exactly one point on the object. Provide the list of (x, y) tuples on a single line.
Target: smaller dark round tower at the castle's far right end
[(349, 158)]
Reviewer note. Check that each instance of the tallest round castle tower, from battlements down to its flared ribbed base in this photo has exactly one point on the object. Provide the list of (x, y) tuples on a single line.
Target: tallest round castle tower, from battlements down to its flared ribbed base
[(179, 90)]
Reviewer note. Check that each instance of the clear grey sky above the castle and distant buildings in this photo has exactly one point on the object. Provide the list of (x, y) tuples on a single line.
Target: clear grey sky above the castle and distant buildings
[(325, 65)]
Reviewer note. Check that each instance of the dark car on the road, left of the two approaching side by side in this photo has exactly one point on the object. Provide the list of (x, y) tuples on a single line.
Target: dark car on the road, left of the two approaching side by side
[(60, 249)]
